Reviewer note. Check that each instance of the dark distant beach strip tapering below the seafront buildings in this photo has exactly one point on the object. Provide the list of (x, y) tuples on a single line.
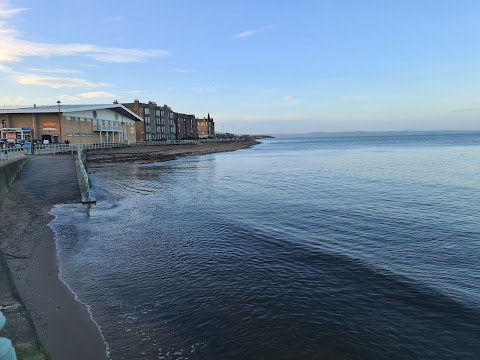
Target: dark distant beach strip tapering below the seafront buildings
[(149, 154)]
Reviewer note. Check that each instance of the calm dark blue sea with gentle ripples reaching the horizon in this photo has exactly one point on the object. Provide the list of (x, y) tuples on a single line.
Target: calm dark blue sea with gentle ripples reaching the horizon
[(314, 248)]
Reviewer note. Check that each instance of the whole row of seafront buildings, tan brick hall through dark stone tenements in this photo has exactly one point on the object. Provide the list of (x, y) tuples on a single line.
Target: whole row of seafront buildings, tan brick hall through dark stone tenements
[(102, 123)]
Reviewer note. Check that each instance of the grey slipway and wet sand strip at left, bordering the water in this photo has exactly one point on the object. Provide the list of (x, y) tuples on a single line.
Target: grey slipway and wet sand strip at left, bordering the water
[(37, 302)]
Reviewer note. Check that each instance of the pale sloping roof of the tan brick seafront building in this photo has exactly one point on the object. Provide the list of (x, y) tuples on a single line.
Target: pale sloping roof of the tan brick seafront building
[(119, 108)]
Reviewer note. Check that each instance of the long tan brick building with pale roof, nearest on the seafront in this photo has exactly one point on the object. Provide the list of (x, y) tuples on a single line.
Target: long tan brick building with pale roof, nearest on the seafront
[(99, 123)]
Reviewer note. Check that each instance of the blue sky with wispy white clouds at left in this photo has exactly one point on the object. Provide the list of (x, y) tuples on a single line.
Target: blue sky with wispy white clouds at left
[(258, 67)]
